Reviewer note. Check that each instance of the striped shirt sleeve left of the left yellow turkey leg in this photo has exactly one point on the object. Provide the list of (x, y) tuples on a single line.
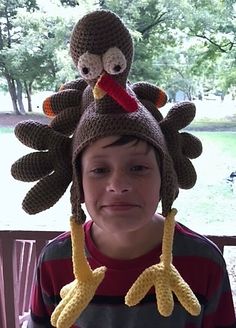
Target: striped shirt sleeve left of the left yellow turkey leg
[(54, 270)]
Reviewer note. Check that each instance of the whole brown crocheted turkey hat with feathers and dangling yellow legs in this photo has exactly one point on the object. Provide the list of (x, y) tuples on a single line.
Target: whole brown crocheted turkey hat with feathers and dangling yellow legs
[(102, 103)]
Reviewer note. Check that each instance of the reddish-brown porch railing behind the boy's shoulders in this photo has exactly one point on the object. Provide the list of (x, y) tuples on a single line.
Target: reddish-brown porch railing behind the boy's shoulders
[(19, 252)]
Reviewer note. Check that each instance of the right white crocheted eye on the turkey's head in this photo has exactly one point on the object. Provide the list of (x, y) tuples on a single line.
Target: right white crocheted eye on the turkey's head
[(114, 61)]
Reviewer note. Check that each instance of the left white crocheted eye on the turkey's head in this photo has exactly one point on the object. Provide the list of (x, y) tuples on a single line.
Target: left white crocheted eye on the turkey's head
[(89, 66)]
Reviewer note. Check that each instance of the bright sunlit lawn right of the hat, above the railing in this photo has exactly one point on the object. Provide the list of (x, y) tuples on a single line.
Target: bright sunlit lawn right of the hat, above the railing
[(210, 205)]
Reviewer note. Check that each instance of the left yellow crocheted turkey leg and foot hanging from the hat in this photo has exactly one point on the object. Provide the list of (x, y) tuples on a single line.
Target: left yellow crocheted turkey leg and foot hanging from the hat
[(77, 295)]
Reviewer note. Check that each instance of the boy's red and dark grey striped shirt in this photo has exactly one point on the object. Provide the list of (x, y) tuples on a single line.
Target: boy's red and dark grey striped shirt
[(196, 258)]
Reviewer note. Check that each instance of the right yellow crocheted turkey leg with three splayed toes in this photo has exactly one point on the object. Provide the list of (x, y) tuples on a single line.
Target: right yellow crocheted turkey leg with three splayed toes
[(165, 278)]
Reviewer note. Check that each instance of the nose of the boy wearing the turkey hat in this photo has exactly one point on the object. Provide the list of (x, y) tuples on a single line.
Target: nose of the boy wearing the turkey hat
[(118, 183)]
